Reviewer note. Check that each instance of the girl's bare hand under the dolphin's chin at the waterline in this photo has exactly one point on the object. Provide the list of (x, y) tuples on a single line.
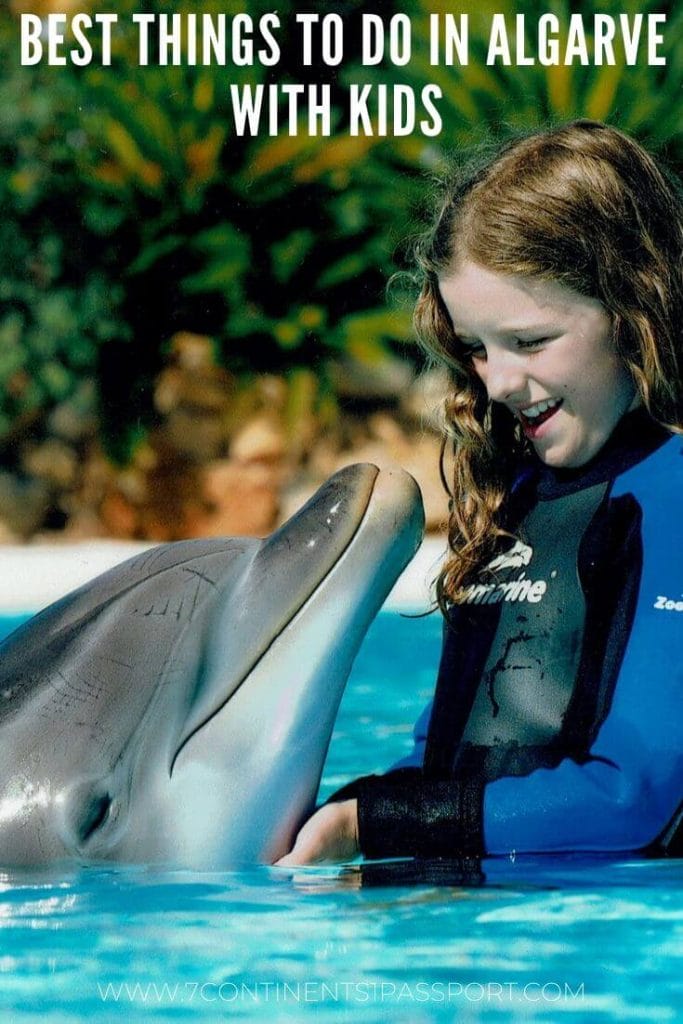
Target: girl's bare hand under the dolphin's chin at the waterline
[(330, 835)]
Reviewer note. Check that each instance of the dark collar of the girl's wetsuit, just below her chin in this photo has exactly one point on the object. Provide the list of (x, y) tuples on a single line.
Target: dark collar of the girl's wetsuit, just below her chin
[(635, 437)]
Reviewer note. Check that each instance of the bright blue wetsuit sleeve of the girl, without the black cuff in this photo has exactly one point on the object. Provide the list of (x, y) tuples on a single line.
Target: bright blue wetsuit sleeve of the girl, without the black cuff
[(627, 792)]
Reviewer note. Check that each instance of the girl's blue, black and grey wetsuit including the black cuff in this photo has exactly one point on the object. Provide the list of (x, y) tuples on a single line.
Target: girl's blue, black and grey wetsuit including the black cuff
[(558, 721)]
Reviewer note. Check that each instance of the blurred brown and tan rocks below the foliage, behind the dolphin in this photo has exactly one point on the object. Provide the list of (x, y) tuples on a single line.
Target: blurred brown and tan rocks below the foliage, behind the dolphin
[(227, 457)]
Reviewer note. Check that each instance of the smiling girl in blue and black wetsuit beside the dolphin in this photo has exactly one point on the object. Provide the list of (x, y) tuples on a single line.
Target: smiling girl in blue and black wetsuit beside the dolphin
[(553, 289)]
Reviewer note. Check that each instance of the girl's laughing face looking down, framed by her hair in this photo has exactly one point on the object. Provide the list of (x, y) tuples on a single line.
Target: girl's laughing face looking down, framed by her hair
[(547, 354)]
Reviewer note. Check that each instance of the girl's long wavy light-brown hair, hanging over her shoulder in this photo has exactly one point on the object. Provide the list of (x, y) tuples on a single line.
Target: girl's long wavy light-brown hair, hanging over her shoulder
[(581, 204)]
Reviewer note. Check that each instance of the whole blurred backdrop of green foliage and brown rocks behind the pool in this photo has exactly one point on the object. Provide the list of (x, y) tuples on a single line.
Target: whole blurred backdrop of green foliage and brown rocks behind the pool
[(195, 327)]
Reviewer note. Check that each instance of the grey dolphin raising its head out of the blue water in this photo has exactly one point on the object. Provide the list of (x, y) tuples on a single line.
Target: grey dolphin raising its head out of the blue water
[(178, 710)]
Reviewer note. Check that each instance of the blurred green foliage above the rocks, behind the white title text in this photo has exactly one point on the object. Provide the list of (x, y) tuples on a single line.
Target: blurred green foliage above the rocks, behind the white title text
[(132, 209)]
